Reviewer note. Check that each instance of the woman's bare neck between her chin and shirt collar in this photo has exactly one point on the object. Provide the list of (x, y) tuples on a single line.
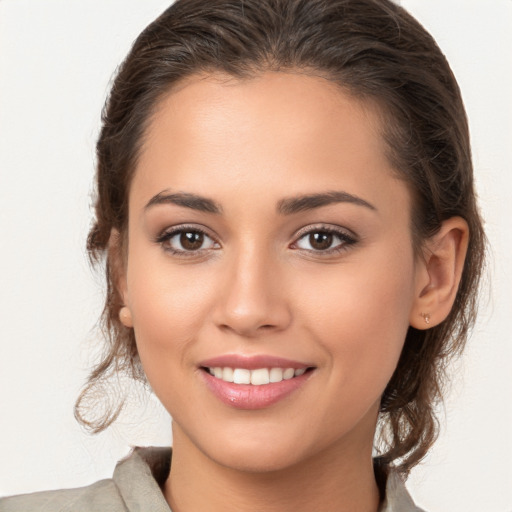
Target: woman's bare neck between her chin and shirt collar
[(340, 479)]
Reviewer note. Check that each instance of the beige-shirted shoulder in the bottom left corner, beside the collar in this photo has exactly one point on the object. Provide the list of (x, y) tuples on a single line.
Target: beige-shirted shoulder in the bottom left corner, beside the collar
[(102, 495)]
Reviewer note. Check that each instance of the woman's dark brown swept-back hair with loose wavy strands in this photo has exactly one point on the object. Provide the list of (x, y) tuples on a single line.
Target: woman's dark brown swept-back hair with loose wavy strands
[(374, 50)]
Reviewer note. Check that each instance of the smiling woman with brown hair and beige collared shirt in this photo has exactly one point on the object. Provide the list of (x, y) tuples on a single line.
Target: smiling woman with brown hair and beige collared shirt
[(286, 207)]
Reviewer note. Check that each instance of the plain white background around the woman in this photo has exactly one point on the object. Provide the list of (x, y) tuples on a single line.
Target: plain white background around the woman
[(56, 60)]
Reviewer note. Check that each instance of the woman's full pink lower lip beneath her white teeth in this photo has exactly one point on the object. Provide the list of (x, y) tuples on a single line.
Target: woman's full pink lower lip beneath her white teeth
[(250, 397)]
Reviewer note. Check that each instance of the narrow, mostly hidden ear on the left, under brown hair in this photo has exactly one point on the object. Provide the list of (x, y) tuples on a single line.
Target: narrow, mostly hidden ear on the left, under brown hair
[(117, 267)]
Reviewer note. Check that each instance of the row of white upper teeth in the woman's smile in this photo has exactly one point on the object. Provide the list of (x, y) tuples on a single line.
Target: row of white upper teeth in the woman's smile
[(256, 377)]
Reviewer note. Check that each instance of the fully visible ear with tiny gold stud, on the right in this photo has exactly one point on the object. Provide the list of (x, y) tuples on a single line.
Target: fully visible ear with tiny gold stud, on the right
[(438, 274)]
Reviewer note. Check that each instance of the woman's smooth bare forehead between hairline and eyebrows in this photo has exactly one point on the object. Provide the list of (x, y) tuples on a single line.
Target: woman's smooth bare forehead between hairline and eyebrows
[(287, 133)]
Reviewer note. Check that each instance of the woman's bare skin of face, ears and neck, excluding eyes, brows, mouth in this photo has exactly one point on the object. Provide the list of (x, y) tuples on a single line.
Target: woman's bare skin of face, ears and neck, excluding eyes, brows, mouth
[(258, 286)]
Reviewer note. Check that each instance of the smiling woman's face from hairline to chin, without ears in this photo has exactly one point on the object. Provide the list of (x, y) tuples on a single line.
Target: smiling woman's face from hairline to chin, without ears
[(270, 272)]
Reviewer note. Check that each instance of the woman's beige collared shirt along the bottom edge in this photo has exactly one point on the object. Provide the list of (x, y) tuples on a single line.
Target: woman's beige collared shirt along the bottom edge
[(135, 487)]
